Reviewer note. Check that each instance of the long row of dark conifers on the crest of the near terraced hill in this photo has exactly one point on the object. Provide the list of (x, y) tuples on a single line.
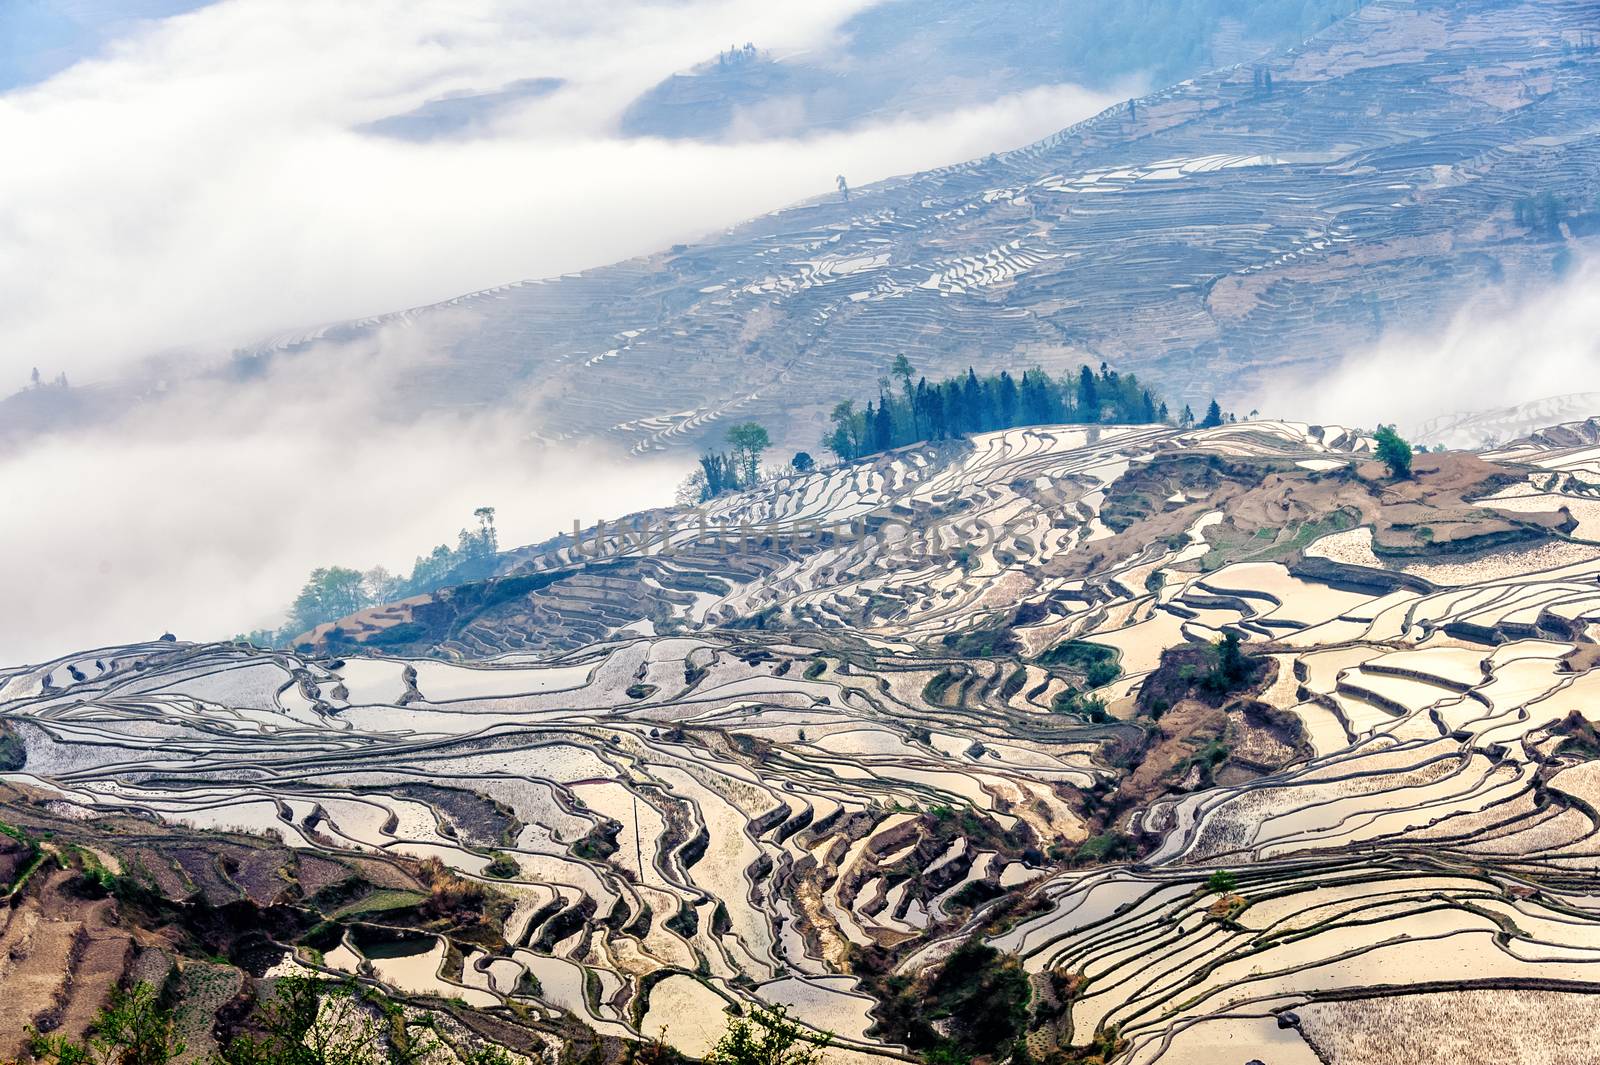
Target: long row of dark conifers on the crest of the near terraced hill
[(967, 404)]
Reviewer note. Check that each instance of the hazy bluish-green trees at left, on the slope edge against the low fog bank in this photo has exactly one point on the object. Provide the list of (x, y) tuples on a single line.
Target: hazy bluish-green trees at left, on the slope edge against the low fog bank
[(332, 592)]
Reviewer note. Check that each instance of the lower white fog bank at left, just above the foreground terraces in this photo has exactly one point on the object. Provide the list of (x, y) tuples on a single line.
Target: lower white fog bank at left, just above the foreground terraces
[(204, 514)]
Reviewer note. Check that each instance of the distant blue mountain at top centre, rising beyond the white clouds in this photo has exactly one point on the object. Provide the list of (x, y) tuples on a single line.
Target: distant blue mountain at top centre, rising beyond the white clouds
[(919, 57)]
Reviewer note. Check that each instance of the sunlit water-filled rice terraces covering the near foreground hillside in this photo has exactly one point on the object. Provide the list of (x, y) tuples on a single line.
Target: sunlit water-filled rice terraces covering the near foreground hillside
[(838, 727)]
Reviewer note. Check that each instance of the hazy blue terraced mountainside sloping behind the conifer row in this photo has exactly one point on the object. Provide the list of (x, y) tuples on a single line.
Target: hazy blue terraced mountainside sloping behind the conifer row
[(1252, 221)]
